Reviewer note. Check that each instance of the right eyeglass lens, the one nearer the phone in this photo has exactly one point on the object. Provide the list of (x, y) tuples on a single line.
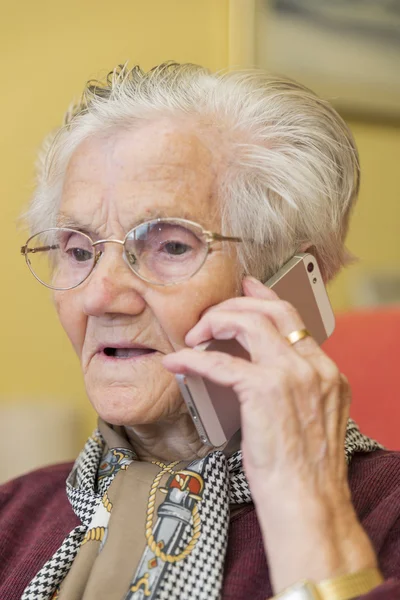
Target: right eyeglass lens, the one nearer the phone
[(166, 251)]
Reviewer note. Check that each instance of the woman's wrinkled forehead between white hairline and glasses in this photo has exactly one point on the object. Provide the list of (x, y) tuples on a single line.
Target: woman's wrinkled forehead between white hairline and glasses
[(162, 168)]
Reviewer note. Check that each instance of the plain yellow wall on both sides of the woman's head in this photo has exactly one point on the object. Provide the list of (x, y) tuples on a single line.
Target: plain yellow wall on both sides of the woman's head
[(49, 50)]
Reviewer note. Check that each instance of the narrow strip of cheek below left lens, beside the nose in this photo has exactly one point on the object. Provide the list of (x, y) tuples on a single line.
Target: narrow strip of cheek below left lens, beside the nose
[(71, 318)]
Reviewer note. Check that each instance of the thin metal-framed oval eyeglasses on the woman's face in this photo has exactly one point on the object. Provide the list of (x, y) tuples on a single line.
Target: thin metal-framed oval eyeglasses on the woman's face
[(161, 251)]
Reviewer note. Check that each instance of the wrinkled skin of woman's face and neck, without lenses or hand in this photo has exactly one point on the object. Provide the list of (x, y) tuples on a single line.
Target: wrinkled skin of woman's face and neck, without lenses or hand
[(111, 183)]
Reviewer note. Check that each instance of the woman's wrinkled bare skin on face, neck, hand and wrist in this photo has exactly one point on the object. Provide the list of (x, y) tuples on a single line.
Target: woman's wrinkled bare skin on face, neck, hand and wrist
[(294, 402)]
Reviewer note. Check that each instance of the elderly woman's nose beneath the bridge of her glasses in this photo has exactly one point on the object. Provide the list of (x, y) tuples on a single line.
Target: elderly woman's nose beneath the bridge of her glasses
[(112, 288)]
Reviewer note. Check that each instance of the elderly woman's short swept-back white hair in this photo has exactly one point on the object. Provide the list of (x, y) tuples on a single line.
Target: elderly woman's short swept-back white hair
[(292, 173)]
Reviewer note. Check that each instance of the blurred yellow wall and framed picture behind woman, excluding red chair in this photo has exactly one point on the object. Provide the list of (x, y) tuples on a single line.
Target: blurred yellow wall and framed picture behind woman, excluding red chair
[(349, 51)]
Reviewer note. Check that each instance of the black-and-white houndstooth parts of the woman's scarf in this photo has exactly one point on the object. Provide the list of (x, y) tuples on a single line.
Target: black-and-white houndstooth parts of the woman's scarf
[(199, 575)]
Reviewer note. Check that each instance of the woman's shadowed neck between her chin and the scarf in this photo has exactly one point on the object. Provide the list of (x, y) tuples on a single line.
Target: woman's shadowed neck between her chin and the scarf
[(167, 441)]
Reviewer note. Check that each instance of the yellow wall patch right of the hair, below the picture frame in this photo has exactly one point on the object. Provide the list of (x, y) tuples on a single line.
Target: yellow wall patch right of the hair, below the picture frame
[(375, 228)]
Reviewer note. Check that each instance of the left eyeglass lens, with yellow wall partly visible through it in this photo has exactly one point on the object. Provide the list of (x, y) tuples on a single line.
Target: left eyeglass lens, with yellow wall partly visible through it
[(60, 258)]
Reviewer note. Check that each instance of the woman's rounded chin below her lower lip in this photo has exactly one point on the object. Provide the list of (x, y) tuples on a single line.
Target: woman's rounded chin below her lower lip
[(136, 405)]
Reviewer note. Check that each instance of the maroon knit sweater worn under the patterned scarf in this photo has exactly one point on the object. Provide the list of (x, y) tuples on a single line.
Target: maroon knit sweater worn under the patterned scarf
[(35, 516)]
